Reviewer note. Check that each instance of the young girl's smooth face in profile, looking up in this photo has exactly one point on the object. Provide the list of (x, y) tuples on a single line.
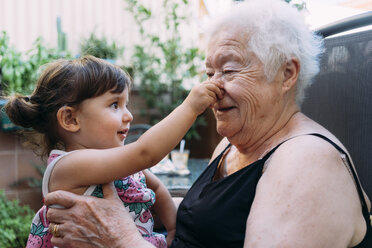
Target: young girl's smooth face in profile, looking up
[(104, 120)]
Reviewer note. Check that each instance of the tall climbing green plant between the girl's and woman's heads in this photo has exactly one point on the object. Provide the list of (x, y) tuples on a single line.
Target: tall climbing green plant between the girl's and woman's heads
[(161, 64)]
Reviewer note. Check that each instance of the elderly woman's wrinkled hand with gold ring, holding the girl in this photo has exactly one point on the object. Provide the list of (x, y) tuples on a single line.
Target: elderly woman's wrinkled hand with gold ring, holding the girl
[(92, 222)]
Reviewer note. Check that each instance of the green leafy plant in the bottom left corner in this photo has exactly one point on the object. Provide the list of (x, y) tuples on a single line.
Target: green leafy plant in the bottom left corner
[(15, 223)]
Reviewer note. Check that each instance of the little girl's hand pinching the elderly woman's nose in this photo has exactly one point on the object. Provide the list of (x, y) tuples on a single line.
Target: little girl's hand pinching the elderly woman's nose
[(204, 95)]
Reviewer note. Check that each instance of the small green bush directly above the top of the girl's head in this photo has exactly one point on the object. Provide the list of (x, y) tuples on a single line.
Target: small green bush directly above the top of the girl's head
[(100, 48)]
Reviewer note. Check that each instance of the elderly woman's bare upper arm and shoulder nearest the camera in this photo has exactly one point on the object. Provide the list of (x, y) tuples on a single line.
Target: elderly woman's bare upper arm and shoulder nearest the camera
[(305, 198)]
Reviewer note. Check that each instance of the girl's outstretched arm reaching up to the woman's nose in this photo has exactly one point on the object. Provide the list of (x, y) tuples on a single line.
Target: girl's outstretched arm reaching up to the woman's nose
[(89, 166)]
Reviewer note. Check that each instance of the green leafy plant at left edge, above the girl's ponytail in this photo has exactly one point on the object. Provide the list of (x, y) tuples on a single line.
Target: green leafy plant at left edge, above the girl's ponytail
[(19, 71)]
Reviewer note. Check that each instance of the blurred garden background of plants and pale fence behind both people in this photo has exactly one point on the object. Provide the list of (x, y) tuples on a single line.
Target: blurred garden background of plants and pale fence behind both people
[(159, 42)]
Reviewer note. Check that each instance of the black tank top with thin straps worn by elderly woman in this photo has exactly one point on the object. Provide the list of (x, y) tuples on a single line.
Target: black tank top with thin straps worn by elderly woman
[(214, 212)]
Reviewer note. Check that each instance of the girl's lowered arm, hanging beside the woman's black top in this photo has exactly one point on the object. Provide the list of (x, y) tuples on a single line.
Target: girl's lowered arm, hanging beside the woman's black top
[(164, 206)]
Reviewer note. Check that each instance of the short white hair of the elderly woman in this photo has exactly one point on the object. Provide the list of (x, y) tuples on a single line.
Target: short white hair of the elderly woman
[(277, 32)]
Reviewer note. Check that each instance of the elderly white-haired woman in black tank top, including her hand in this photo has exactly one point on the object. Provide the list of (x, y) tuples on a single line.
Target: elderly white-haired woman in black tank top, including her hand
[(277, 179)]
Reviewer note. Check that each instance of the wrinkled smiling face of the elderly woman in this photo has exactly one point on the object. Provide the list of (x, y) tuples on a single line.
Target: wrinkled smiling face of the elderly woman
[(250, 102)]
